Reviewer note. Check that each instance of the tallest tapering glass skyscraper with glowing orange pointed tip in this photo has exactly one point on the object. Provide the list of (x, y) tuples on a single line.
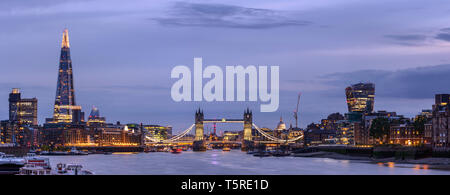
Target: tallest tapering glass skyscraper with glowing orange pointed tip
[(65, 110)]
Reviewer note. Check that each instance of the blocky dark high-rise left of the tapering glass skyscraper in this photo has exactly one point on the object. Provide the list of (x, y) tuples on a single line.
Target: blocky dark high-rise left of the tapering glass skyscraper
[(21, 110)]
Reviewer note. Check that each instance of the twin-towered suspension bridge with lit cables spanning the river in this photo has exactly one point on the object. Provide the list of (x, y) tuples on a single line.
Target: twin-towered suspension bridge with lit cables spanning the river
[(199, 143)]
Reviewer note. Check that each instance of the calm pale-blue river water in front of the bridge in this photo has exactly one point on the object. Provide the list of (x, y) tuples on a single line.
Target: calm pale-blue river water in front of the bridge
[(235, 162)]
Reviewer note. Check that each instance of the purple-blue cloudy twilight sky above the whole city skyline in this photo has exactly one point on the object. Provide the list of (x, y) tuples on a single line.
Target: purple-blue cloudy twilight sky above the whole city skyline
[(123, 53)]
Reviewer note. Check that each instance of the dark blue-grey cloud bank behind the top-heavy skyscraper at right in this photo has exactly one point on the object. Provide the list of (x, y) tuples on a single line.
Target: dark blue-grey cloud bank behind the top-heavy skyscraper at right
[(414, 83)]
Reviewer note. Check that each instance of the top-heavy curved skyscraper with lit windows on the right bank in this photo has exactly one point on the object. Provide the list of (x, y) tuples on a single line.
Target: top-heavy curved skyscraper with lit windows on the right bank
[(360, 97)]
